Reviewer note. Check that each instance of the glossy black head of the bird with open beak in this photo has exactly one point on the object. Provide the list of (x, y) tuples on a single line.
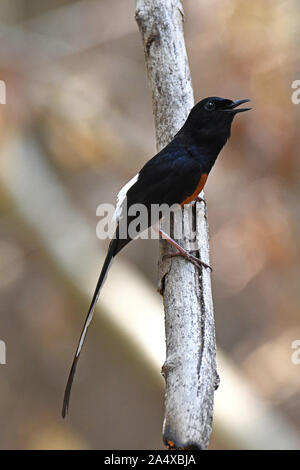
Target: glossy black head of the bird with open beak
[(212, 117)]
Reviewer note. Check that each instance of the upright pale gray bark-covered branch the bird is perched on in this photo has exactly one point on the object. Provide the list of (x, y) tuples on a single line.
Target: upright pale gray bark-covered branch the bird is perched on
[(190, 366)]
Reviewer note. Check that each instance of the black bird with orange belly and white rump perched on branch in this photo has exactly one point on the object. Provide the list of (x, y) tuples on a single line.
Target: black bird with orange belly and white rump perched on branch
[(175, 175)]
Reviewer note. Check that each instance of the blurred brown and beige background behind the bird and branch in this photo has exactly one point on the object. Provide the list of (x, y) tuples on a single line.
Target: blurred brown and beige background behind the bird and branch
[(77, 124)]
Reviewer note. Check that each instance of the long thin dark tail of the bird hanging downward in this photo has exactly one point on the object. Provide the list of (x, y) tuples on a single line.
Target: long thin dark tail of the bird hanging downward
[(115, 246)]
